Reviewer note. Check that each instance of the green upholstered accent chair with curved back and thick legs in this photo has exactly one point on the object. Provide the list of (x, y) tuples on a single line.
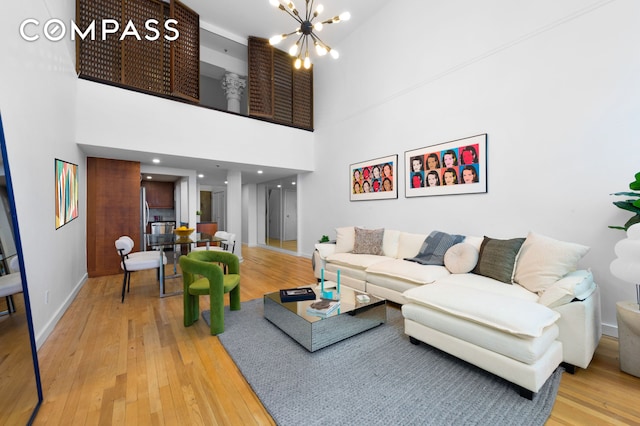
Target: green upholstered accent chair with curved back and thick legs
[(201, 275)]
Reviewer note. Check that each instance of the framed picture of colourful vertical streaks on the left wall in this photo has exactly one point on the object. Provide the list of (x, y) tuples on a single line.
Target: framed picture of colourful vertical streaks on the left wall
[(66, 192)]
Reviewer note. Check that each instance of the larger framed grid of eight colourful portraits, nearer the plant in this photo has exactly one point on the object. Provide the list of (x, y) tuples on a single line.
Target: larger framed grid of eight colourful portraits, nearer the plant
[(456, 167)]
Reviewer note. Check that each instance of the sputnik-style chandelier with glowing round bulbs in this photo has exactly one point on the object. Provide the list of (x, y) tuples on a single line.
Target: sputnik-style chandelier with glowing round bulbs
[(306, 31)]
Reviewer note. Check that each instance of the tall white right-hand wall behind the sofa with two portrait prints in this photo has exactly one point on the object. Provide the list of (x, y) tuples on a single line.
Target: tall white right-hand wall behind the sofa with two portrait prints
[(553, 84)]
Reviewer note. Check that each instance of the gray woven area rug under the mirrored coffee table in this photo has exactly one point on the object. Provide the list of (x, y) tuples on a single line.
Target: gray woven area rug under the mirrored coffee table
[(377, 377)]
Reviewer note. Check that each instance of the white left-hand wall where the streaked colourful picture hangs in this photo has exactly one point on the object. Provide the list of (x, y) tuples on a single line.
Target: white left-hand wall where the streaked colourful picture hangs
[(37, 102)]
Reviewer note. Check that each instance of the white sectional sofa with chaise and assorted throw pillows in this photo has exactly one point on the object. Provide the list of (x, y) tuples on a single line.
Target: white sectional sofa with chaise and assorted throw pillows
[(517, 308)]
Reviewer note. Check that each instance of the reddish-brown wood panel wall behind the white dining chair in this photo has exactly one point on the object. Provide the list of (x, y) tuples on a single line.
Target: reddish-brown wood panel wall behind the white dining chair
[(113, 210)]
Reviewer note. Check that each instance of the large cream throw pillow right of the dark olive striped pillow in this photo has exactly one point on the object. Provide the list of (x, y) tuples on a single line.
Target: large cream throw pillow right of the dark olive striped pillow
[(543, 261)]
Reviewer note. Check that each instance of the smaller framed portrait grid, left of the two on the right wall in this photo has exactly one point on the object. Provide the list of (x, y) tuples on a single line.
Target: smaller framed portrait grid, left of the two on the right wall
[(374, 179)]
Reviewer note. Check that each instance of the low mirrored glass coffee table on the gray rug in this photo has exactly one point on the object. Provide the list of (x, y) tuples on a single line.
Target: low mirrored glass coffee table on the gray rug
[(314, 332)]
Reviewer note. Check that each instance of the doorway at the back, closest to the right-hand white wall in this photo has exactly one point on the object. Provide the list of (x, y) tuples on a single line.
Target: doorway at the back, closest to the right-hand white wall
[(282, 214)]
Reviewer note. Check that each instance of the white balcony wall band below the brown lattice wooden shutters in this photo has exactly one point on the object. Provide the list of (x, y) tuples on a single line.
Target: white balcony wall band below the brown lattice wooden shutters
[(196, 132)]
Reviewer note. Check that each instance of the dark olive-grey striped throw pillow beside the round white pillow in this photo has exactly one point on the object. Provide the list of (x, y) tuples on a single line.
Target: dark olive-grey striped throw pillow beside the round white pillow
[(497, 258)]
